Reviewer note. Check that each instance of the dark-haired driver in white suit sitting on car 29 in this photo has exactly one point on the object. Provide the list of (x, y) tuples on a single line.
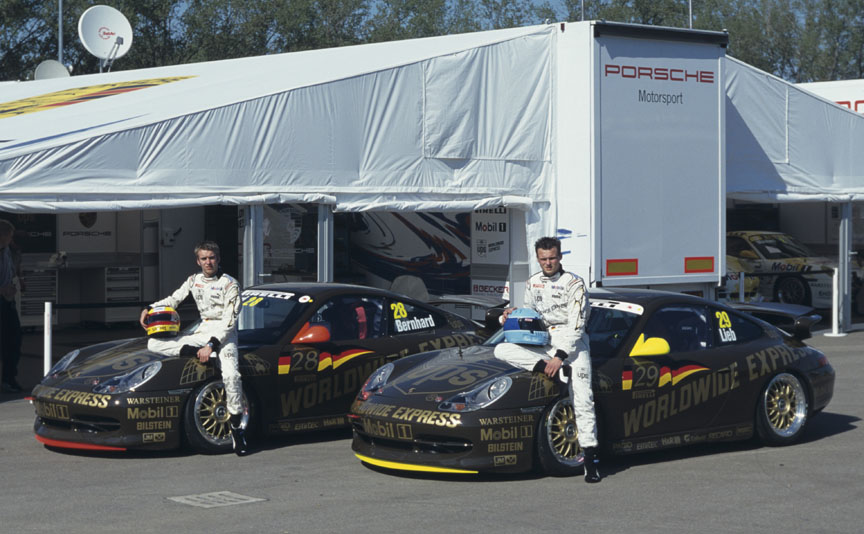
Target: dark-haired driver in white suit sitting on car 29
[(561, 298)]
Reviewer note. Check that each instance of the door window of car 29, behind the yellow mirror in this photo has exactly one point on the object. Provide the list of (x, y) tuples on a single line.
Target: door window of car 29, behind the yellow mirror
[(686, 328)]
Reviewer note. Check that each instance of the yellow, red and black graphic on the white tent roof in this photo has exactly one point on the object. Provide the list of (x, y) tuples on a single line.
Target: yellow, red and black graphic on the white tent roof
[(79, 95)]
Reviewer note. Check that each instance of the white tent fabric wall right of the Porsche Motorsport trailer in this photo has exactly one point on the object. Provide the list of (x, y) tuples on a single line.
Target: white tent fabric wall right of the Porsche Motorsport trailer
[(786, 144)]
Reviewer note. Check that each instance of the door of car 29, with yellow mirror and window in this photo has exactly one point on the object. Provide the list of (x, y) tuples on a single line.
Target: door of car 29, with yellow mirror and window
[(673, 379)]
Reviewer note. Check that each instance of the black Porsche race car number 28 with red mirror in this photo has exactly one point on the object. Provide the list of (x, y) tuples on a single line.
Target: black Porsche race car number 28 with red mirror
[(305, 350)]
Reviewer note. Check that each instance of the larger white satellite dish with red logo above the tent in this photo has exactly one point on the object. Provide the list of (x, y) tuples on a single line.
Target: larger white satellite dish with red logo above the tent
[(105, 33)]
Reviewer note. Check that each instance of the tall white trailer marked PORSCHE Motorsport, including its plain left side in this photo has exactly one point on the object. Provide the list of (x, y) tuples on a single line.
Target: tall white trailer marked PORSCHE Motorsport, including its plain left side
[(639, 157)]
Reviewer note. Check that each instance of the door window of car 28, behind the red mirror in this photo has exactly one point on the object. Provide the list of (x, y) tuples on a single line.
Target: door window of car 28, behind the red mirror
[(352, 317)]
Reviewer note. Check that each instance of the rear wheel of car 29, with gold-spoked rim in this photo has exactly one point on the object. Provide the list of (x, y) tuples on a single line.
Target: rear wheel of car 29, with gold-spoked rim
[(781, 412)]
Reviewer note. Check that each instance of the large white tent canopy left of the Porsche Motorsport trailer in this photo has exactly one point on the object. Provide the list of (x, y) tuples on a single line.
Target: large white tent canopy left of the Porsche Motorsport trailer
[(449, 123)]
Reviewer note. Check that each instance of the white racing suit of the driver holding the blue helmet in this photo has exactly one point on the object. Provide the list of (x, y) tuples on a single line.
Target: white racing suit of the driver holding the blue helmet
[(562, 301)]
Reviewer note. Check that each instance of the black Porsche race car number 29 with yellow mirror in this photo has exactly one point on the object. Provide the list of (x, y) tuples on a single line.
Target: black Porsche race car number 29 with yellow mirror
[(668, 370)]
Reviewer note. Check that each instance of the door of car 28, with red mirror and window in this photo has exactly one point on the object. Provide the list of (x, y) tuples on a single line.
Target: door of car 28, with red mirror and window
[(329, 359)]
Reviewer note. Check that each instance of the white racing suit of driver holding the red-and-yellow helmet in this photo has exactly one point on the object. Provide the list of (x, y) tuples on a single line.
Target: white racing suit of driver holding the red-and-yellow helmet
[(218, 300)]
